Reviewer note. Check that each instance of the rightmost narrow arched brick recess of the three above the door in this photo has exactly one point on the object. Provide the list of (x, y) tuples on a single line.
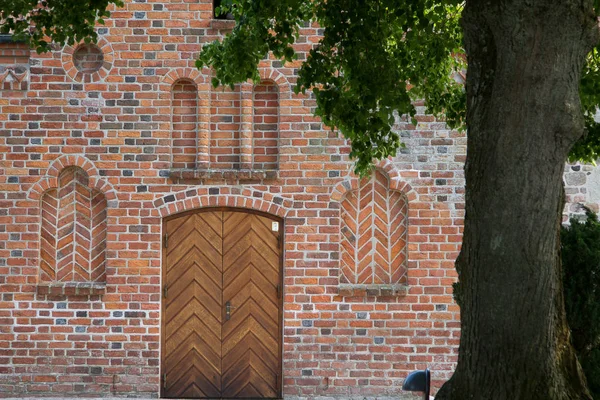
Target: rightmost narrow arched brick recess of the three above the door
[(265, 130)]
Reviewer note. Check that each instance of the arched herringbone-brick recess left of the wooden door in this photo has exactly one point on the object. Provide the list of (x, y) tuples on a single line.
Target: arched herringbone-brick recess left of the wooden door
[(73, 231)]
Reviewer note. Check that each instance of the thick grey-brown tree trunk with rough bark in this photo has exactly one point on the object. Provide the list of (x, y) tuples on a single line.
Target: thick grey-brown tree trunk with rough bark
[(524, 113)]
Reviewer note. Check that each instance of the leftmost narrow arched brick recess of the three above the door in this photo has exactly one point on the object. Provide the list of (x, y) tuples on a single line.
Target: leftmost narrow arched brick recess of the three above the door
[(184, 129)]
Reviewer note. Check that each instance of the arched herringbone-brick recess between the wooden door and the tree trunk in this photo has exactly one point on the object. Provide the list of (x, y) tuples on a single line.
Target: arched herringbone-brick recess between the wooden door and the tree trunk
[(373, 233)]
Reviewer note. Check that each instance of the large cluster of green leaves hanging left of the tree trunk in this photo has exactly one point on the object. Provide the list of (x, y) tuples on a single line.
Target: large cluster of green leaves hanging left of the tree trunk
[(374, 59)]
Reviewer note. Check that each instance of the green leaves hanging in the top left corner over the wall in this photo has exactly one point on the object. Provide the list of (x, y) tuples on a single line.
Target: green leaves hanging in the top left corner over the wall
[(42, 22)]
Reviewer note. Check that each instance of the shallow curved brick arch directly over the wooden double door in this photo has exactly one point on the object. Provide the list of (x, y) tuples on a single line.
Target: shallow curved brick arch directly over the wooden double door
[(223, 196)]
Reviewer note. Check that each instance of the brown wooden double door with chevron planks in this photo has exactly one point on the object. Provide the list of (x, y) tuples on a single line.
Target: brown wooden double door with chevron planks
[(222, 315)]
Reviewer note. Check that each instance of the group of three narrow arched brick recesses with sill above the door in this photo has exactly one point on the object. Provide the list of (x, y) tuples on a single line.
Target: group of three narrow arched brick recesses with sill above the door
[(237, 130)]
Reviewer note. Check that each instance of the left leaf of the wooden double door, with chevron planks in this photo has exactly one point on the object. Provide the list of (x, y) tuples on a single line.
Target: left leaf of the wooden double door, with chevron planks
[(192, 317)]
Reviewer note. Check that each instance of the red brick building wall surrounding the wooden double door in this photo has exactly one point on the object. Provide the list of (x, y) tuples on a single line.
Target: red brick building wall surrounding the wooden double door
[(147, 134)]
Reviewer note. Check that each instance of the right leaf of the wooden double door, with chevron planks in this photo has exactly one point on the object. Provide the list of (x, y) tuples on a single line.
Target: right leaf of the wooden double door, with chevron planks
[(250, 280)]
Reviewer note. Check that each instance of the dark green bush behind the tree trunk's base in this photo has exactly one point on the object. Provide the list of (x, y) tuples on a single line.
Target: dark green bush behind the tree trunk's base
[(581, 279)]
